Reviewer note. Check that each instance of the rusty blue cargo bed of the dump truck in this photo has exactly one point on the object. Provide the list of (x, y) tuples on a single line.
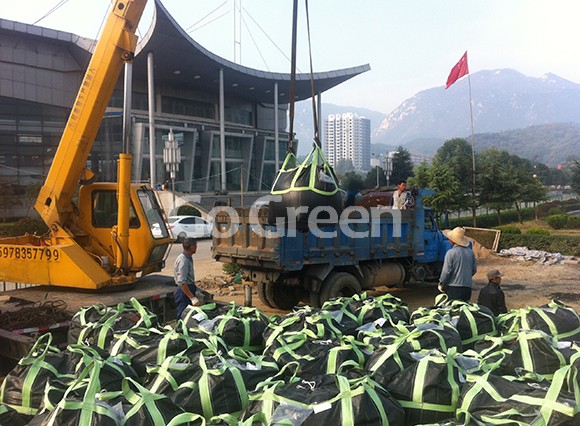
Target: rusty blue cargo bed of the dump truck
[(269, 252)]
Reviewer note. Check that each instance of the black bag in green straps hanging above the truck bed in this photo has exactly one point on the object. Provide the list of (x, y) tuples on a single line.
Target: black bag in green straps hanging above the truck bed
[(307, 186)]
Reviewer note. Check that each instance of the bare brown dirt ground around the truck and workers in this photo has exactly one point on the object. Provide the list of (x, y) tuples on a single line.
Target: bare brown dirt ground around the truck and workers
[(525, 283)]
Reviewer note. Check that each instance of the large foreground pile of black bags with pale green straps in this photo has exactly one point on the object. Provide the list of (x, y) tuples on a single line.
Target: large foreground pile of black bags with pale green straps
[(360, 360)]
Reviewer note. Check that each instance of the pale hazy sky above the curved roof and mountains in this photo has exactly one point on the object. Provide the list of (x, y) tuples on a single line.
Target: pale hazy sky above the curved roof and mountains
[(411, 45)]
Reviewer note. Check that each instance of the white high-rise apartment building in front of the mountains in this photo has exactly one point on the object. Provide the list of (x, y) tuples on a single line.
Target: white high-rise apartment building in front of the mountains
[(348, 137)]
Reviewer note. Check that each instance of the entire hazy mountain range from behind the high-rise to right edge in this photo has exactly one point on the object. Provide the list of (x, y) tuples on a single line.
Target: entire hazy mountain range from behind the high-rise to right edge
[(535, 118)]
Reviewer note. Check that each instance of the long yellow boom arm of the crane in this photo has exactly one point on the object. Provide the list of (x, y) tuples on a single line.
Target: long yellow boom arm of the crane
[(115, 47)]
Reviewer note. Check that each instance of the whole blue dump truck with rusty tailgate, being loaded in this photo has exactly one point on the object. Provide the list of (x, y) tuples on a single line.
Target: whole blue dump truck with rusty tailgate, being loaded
[(367, 247)]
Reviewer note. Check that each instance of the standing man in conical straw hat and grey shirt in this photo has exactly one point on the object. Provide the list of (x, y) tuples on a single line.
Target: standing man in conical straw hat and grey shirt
[(459, 266)]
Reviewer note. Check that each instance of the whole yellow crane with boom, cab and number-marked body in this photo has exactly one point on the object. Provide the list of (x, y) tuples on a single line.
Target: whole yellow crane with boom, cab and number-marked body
[(116, 231)]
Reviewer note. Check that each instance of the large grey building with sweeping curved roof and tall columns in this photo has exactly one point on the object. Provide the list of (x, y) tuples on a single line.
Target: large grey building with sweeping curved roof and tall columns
[(226, 118)]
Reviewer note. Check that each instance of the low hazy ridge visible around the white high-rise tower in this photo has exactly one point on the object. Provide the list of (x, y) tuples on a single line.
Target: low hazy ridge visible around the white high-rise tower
[(304, 122)]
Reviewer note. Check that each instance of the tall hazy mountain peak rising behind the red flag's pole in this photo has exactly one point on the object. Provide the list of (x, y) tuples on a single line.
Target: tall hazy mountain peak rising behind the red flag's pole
[(502, 100)]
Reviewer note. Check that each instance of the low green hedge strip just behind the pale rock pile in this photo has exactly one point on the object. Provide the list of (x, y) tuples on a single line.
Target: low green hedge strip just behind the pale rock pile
[(567, 245)]
